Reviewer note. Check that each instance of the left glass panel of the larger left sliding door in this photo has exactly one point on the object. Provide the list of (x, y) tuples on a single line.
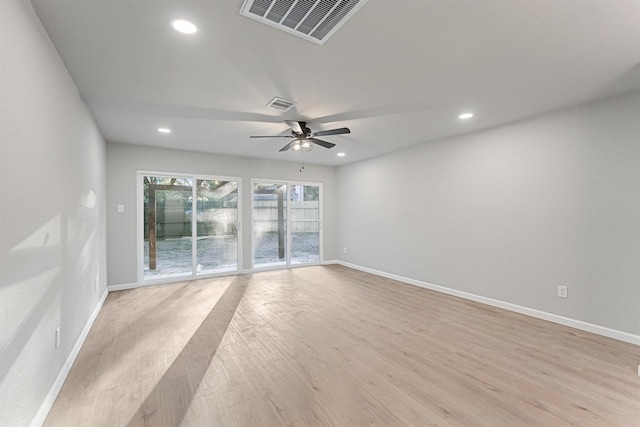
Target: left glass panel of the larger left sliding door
[(167, 227)]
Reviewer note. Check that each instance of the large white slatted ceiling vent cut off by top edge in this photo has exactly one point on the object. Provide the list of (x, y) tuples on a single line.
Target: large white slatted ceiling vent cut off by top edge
[(313, 20)]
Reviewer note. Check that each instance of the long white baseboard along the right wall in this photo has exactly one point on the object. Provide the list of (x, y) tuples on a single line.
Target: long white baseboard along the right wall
[(566, 321)]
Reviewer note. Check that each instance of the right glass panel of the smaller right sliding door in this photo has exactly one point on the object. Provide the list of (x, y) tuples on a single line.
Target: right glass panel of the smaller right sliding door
[(304, 226)]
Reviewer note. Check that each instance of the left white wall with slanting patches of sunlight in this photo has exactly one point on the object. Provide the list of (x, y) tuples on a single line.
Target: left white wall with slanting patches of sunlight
[(52, 228)]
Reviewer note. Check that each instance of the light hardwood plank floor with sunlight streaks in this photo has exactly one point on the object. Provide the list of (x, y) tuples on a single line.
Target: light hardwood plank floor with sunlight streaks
[(331, 346)]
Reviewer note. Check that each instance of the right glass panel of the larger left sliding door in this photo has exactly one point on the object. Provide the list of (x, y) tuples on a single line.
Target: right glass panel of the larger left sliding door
[(216, 226)]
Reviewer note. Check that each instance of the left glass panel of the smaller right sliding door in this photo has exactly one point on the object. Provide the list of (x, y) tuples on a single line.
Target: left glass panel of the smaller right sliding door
[(269, 224)]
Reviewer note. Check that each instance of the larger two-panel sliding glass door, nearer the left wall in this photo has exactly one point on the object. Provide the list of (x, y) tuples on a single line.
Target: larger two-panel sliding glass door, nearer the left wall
[(189, 226)]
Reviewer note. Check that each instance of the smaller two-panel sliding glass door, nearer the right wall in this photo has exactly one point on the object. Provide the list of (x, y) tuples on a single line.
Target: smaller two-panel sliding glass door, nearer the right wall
[(286, 224)]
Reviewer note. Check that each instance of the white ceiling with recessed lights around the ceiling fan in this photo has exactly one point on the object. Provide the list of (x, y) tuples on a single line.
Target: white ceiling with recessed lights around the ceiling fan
[(398, 73)]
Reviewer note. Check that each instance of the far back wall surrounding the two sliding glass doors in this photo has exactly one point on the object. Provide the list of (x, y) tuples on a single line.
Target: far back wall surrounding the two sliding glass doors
[(124, 160)]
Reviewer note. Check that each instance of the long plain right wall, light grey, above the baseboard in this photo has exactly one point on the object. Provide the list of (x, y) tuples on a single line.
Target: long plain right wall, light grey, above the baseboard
[(512, 212)]
